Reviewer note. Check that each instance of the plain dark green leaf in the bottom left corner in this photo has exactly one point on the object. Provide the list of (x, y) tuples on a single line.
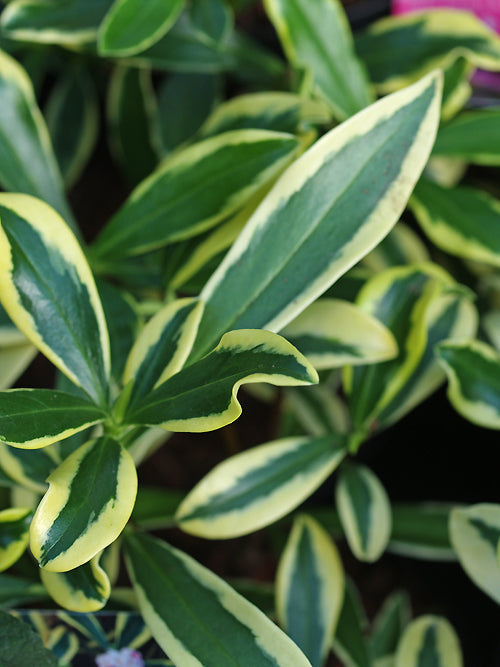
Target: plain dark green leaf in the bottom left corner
[(21, 646)]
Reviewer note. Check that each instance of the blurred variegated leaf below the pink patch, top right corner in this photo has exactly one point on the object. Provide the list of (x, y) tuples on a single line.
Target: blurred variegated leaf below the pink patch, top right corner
[(400, 49)]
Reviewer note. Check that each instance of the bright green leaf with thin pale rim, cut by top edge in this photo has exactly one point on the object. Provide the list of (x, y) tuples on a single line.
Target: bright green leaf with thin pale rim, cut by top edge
[(132, 26)]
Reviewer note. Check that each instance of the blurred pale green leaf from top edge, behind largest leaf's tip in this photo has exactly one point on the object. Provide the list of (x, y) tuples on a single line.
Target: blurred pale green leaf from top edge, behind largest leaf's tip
[(316, 37)]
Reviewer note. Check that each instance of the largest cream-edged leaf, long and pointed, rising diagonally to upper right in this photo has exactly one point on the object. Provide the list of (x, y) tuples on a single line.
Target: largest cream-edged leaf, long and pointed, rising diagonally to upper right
[(323, 201)]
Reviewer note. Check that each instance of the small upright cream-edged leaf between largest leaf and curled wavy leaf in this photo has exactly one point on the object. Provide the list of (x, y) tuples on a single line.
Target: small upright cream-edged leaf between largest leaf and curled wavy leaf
[(163, 346)]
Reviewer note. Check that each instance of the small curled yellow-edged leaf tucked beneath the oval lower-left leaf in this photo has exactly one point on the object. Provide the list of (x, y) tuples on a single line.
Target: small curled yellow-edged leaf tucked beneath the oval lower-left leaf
[(84, 589)]
